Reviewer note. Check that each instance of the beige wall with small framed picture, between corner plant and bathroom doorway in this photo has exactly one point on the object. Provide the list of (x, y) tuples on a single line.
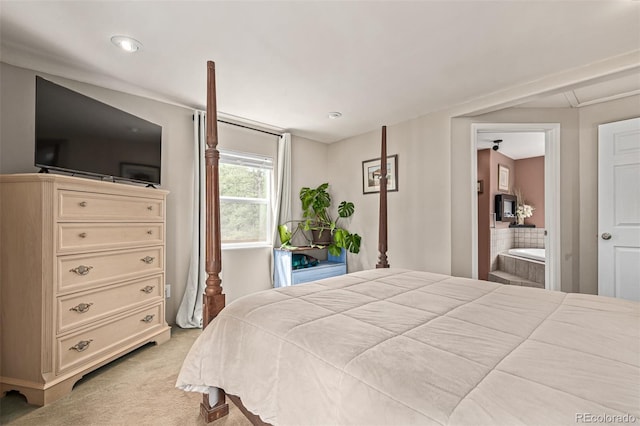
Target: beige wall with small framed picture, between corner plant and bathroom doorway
[(419, 212)]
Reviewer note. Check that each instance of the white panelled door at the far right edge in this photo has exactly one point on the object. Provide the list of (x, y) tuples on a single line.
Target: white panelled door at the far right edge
[(619, 209)]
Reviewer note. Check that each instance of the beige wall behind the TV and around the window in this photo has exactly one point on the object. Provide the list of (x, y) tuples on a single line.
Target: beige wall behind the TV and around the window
[(244, 271)]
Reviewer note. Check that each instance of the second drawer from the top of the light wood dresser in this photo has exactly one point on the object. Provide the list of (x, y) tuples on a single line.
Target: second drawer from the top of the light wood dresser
[(93, 236)]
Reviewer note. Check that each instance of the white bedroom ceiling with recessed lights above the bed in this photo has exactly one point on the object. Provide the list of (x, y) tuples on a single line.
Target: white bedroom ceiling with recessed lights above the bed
[(287, 64)]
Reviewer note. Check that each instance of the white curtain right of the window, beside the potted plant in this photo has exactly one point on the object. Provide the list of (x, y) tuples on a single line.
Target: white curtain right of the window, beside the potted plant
[(282, 204)]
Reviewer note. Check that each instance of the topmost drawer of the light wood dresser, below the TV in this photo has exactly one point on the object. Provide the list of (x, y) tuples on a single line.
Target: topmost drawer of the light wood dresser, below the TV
[(77, 205)]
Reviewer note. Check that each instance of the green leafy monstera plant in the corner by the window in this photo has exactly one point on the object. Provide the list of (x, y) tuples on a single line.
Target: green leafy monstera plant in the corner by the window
[(318, 220)]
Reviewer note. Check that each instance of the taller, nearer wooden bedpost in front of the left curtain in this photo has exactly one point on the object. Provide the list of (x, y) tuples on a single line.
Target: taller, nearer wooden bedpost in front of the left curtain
[(214, 299)]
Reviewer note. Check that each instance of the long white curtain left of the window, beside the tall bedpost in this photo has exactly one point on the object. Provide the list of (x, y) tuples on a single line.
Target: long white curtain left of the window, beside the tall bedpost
[(190, 311)]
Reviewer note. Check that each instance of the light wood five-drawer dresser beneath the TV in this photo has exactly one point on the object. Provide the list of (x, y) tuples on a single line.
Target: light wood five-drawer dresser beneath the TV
[(81, 278)]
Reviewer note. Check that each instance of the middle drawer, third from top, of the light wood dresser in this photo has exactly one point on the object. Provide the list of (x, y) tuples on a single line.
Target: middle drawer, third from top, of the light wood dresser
[(79, 271)]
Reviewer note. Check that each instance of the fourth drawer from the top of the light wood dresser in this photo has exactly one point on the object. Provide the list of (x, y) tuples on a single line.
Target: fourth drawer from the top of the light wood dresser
[(89, 306)]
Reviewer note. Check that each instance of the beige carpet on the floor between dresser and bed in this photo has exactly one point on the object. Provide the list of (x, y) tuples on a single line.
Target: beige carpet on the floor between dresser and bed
[(137, 389)]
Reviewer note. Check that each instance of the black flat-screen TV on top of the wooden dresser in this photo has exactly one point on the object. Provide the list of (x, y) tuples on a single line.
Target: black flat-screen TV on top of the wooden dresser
[(78, 134)]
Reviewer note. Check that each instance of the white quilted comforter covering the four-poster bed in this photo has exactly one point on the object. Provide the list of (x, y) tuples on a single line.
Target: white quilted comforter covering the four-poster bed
[(398, 347)]
